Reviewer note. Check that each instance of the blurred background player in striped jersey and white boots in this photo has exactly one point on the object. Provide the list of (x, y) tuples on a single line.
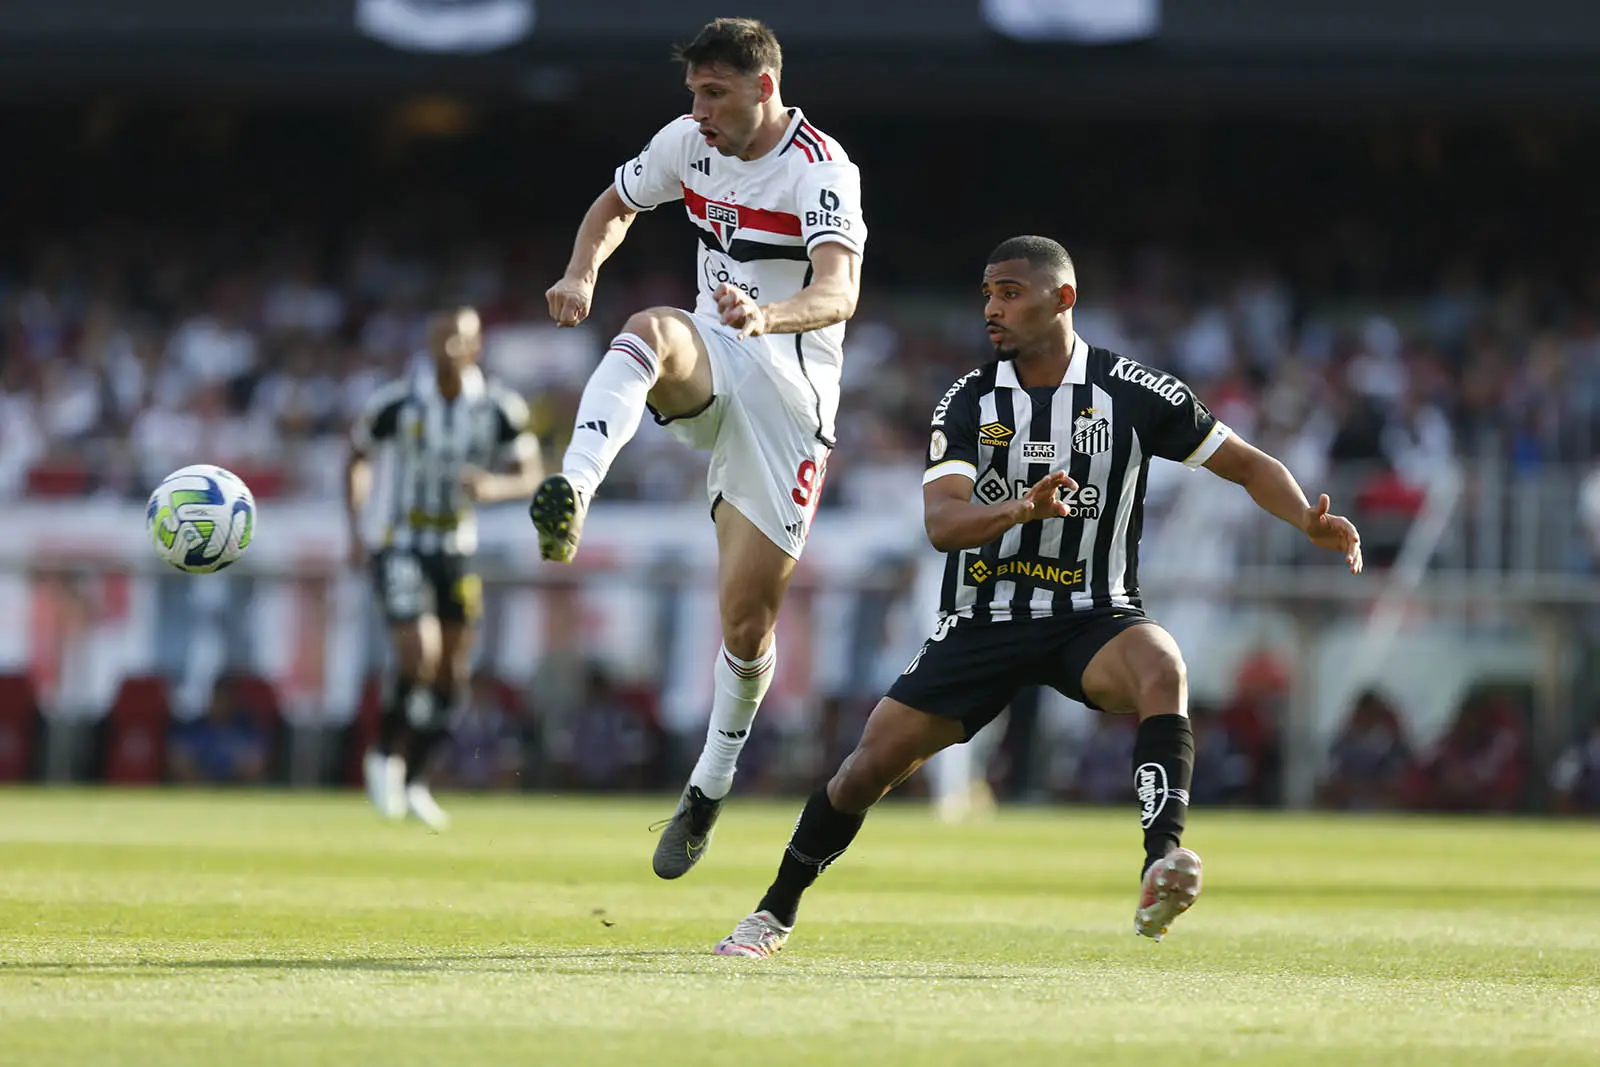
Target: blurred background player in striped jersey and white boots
[(447, 426)]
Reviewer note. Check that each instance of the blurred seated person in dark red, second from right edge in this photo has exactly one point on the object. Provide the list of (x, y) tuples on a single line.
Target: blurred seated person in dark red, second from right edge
[(1481, 762)]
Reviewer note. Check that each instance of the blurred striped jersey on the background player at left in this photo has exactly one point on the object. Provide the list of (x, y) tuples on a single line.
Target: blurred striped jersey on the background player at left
[(433, 441)]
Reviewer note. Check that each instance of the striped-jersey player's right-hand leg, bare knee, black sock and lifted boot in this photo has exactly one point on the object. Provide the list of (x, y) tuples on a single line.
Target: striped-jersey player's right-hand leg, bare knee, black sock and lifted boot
[(1143, 671)]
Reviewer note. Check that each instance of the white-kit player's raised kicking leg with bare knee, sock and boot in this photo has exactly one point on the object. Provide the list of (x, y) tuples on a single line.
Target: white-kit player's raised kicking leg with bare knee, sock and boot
[(660, 362)]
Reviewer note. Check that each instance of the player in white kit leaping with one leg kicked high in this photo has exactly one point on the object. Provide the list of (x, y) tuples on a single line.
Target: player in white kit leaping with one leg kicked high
[(751, 375)]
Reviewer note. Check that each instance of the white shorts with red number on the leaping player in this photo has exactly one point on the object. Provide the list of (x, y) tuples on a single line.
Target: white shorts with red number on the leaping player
[(767, 457)]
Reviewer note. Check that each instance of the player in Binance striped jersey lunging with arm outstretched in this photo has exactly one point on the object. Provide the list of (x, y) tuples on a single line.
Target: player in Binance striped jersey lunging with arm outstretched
[(1036, 492)]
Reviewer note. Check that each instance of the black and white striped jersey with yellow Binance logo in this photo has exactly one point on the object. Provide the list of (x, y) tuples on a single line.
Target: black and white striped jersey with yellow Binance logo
[(1102, 425)]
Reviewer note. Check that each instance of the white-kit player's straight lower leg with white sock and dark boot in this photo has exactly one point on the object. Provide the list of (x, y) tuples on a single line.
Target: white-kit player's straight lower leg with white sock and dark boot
[(753, 577)]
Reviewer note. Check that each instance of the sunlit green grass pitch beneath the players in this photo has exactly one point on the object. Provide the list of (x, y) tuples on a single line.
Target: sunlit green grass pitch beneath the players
[(281, 929)]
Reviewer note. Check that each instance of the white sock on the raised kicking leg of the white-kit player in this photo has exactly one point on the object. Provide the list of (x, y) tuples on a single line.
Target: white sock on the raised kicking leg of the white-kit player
[(610, 410)]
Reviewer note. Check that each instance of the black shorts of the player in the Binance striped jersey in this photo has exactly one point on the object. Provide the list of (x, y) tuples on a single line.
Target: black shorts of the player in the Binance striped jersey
[(972, 671)]
